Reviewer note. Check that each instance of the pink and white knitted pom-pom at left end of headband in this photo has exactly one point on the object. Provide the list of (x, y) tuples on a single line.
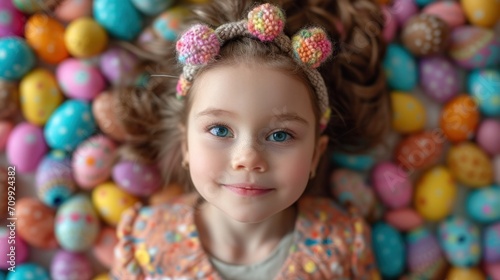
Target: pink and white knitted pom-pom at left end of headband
[(198, 45)]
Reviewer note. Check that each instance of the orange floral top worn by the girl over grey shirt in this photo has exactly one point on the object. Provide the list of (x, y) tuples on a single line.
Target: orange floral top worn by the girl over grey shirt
[(161, 242)]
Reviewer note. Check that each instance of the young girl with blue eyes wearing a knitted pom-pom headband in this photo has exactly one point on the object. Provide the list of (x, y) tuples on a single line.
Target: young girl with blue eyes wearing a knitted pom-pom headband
[(246, 125)]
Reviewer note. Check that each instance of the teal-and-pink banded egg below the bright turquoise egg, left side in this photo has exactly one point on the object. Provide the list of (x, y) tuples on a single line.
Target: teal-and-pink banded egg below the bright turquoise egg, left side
[(54, 179)]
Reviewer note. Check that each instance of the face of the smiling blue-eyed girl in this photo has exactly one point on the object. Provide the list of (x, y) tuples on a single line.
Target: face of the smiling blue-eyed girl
[(251, 140)]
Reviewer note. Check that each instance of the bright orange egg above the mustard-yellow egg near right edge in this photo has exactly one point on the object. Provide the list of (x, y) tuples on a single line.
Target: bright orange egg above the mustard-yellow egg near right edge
[(459, 118)]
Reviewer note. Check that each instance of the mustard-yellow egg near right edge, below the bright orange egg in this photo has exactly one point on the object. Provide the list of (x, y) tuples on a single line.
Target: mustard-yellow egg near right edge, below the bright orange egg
[(470, 165)]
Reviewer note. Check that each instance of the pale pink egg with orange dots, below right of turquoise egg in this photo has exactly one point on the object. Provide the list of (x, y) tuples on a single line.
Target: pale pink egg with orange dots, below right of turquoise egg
[(93, 160)]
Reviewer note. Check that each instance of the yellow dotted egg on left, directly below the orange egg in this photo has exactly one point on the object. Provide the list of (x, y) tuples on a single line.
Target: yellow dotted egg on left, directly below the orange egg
[(40, 96)]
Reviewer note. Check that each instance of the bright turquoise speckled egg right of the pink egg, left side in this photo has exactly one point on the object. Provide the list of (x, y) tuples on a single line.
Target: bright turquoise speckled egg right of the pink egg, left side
[(69, 125)]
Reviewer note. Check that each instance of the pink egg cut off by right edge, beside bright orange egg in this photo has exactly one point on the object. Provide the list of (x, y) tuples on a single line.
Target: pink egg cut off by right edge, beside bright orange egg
[(488, 136)]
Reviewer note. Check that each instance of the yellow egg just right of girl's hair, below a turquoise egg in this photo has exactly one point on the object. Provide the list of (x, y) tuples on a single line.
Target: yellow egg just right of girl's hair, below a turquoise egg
[(408, 113)]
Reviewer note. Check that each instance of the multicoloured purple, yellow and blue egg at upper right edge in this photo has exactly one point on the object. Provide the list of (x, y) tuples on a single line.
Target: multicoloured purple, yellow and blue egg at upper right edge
[(474, 47)]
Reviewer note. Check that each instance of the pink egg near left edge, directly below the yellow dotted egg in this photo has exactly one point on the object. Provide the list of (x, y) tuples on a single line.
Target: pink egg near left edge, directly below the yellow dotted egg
[(26, 147)]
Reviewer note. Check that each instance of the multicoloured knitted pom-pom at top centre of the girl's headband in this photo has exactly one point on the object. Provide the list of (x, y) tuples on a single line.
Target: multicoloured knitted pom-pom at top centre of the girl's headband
[(266, 22)]
